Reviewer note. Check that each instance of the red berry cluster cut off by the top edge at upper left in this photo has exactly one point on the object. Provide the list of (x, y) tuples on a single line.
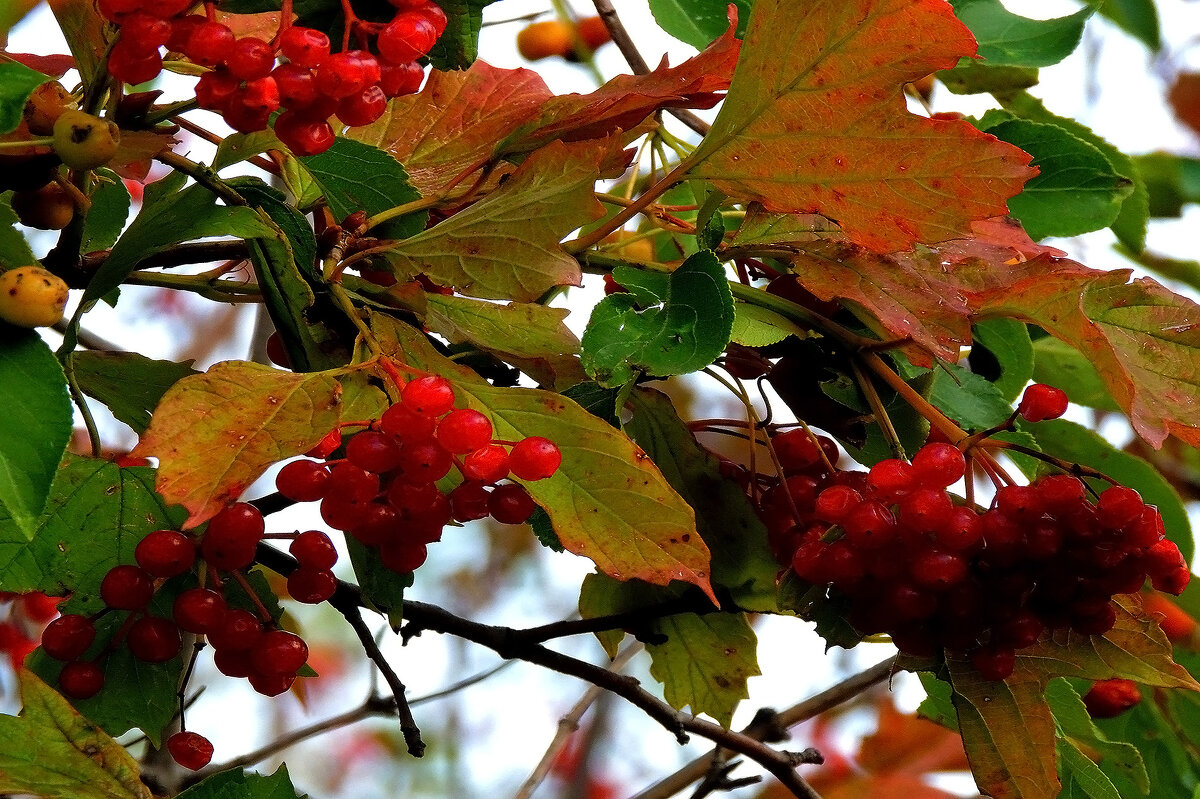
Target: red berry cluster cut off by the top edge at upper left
[(247, 86)]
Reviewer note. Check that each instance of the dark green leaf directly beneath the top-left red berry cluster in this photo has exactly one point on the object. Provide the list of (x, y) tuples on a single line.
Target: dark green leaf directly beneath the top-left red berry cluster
[(357, 177)]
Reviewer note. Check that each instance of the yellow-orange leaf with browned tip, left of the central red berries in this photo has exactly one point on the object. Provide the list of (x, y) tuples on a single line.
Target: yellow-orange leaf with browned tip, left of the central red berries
[(215, 434)]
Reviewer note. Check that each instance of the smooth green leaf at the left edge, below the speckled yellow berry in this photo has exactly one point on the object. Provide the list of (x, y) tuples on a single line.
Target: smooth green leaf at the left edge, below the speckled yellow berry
[(35, 426)]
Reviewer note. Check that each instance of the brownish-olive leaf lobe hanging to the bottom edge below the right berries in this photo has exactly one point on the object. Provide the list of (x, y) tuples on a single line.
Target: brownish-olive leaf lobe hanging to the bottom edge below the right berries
[(1009, 731)]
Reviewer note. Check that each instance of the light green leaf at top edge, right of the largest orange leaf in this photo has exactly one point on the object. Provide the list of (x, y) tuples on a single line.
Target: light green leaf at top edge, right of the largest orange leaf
[(1010, 40)]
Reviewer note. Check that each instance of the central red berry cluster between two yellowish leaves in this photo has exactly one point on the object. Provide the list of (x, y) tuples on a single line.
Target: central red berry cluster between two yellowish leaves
[(385, 492)]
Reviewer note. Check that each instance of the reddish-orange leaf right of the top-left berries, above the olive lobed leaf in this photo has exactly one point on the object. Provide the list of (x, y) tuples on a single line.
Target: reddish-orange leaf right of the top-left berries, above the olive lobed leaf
[(455, 122)]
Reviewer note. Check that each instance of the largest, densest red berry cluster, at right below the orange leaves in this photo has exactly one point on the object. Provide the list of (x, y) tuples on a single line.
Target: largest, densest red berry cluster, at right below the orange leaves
[(902, 556)]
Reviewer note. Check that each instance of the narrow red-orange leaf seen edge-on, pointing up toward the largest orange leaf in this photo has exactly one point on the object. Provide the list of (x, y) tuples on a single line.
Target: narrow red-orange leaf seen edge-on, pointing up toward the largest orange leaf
[(627, 100)]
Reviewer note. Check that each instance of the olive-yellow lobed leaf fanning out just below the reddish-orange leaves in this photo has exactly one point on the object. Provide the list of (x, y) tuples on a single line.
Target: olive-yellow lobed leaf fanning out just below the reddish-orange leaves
[(507, 245)]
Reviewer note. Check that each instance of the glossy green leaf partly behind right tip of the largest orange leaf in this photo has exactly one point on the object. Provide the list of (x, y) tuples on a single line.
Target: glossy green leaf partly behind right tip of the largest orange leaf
[(1078, 190)]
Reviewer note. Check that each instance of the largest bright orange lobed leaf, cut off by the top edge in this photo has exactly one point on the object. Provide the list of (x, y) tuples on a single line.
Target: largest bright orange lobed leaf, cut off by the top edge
[(815, 123)]
